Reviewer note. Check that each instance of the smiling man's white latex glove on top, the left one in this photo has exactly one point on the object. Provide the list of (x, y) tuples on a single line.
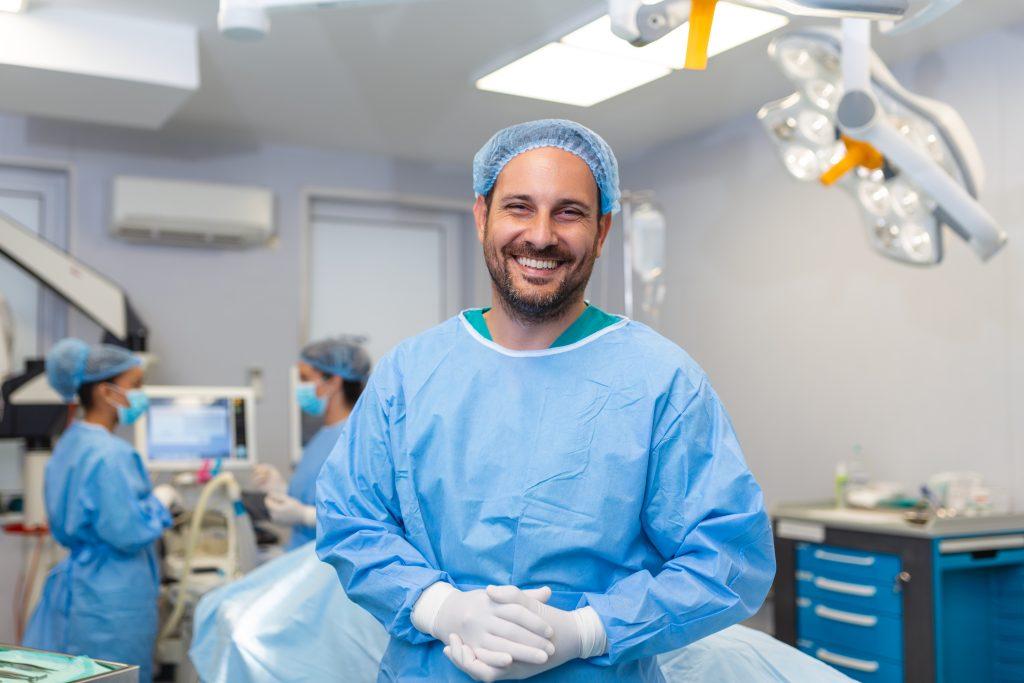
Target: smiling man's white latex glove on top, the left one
[(499, 633)]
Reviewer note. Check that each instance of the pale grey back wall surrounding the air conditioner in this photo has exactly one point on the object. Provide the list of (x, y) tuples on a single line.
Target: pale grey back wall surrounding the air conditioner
[(212, 315)]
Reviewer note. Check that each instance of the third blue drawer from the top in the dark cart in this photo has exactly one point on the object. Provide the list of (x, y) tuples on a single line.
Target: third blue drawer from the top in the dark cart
[(880, 635)]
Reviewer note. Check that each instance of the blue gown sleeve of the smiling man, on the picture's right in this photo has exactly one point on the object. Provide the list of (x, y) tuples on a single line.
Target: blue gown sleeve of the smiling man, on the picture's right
[(705, 514)]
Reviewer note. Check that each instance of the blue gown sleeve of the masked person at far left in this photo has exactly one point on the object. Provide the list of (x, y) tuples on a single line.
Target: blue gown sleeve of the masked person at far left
[(126, 518)]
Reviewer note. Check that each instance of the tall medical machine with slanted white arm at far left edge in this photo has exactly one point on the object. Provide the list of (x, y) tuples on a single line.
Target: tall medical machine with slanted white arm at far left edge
[(32, 411)]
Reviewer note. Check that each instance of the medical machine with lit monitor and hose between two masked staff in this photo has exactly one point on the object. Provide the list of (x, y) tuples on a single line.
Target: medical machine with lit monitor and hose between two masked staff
[(200, 437)]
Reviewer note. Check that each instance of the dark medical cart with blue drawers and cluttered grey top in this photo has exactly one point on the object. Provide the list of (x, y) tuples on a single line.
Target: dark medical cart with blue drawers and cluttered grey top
[(883, 600)]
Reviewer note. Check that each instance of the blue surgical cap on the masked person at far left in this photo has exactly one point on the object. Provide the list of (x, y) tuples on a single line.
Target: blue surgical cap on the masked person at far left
[(72, 363)]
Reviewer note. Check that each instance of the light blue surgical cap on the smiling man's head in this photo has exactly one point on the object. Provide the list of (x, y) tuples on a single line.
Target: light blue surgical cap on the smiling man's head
[(561, 134)]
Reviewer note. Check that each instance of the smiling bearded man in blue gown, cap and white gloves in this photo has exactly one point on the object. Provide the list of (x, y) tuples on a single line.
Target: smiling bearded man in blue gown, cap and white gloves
[(541, 489)]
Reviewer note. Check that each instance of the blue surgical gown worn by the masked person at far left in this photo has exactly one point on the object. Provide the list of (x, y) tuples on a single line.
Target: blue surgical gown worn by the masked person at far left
[(102, 601)]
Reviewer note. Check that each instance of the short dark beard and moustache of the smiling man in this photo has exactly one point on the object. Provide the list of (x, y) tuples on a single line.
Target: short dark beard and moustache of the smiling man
[(533, 310)]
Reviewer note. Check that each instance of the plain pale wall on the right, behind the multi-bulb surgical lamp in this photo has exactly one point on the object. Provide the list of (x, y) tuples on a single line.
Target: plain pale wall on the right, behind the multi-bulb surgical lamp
[(815, 343)]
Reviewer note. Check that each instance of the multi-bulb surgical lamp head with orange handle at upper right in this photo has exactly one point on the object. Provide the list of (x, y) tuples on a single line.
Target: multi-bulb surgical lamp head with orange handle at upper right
[(909, 162)]
